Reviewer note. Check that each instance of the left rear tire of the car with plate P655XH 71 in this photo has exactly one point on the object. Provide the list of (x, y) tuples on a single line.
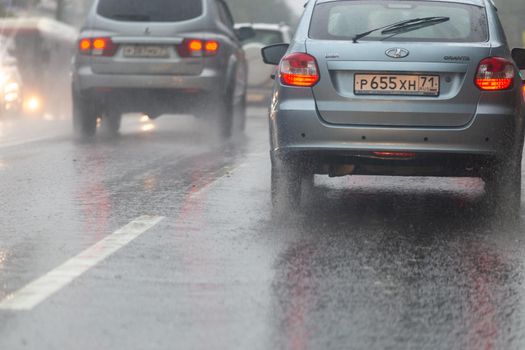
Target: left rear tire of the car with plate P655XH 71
[(286, 187)]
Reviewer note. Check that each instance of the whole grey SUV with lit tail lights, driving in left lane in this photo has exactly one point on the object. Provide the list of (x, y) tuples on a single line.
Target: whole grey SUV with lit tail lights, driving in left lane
[(159, 57)]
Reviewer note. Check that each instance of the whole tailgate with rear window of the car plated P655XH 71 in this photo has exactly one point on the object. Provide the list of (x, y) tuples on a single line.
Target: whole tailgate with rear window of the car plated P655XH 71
[(449, 51)]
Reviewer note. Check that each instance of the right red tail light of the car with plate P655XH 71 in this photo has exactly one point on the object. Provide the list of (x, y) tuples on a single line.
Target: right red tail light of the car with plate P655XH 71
[(495, 73)]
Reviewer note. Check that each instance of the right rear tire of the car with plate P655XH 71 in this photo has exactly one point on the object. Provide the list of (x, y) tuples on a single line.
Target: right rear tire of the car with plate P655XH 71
[(503, 190)]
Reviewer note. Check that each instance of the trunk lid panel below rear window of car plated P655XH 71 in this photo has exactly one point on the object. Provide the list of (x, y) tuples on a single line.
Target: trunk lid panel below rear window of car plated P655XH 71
[(339, 101)]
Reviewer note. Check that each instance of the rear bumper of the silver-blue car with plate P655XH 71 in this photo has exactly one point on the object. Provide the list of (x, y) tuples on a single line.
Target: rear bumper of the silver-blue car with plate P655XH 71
[(297, 132)]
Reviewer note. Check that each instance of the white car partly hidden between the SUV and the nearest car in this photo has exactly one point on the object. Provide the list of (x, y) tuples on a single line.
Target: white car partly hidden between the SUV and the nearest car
[(260, 80)]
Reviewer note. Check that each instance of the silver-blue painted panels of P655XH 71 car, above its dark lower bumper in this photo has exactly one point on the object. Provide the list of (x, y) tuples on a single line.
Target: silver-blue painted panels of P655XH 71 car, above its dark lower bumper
[(329, 119)]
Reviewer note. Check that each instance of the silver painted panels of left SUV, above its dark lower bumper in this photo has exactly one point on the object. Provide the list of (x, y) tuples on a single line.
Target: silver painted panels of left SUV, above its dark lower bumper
[(207, 74)]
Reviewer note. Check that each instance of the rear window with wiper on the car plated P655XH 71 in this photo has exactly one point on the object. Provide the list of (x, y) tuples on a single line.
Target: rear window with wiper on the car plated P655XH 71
[(343, 20)]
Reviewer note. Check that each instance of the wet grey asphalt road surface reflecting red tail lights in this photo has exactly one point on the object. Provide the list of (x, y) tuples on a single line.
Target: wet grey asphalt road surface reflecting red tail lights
[(368, 263)]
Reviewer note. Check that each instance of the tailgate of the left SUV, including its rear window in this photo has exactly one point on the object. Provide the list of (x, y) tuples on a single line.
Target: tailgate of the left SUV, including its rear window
[(147, 35)]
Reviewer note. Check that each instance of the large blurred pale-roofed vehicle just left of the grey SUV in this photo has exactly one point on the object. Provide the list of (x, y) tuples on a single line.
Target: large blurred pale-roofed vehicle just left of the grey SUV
[(42, 48)]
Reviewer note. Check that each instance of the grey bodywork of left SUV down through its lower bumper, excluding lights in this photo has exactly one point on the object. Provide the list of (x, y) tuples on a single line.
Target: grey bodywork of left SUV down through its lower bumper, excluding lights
[(171, 84)]
